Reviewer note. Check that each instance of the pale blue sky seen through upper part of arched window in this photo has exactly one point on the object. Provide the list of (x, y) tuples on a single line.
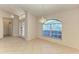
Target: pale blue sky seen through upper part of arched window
[(56, 25)]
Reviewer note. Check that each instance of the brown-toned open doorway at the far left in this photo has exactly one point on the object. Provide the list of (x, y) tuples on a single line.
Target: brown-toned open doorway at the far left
[(7, 26)]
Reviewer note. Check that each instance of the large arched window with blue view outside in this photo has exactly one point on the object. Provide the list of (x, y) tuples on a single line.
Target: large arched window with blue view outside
[(52, 28)]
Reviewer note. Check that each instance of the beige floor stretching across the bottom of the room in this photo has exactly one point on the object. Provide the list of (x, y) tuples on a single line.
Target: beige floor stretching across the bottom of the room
[(18, 45)]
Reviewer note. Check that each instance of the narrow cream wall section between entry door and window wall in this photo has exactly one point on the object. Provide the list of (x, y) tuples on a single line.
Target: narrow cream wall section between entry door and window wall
[(31, 27)]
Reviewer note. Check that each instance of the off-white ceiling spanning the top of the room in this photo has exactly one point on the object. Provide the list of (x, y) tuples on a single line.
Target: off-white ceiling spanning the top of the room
[(36, 9)]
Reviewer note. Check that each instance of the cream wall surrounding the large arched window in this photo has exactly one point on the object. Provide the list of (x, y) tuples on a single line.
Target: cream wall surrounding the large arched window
[(70, 22)]
